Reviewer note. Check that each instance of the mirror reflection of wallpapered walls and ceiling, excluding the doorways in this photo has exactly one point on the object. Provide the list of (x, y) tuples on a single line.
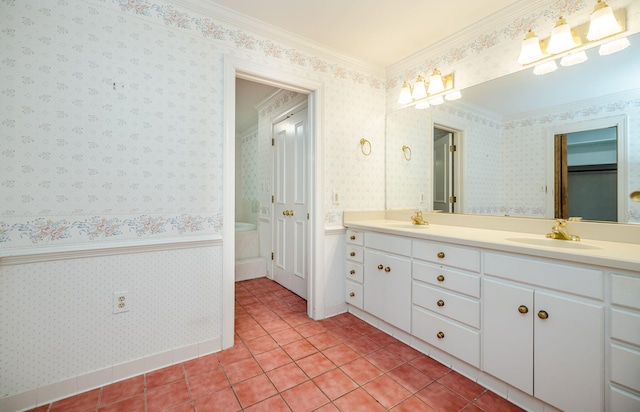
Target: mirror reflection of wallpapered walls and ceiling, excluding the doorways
[(508, 127)]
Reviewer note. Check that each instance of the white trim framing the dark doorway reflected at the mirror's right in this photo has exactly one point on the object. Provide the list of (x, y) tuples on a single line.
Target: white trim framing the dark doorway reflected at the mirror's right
[(620, 122)]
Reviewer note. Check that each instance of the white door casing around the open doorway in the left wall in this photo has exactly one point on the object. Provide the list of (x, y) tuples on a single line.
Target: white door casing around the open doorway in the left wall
[(234, 66)]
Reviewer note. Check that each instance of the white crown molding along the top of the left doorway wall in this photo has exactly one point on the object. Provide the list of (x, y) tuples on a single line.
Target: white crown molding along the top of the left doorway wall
[(223, 14)]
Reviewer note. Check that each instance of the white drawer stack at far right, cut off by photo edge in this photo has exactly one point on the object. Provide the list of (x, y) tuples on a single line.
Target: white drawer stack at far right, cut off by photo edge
[(625, 342)]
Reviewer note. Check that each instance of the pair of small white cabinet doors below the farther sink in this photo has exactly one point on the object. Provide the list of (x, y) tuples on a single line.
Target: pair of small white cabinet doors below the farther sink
[(387, 291)]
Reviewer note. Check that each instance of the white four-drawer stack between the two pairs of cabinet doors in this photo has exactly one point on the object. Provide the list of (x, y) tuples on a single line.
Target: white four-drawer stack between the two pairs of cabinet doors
[(445, 299)]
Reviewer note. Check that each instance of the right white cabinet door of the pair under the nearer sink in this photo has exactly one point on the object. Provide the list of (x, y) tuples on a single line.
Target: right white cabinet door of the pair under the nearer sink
[(569, 353)]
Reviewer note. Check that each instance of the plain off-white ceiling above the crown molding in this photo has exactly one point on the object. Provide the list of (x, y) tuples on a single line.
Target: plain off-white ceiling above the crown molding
[(378, 32)]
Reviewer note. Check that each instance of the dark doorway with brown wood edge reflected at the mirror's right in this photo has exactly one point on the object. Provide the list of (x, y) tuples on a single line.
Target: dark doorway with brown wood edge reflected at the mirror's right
[(586, 174)]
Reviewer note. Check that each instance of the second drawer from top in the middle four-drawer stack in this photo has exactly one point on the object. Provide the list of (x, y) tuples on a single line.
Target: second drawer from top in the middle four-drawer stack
[(447, 278)]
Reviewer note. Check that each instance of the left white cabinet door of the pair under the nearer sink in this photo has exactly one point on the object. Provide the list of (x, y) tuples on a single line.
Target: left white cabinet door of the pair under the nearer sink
[(507, 349)]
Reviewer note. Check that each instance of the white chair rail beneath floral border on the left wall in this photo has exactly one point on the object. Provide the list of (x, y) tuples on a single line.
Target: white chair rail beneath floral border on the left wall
[(52, 253)]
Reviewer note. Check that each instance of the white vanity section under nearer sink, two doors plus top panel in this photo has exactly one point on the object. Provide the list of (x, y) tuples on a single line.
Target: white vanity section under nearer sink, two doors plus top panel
[(543, 328)]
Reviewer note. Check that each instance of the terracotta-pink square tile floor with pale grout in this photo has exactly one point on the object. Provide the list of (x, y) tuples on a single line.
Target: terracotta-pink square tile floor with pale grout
[(284, 361)]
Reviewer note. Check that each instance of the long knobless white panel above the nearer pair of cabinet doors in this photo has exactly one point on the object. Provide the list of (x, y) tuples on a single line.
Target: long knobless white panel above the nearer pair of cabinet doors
[(570, 279)]
